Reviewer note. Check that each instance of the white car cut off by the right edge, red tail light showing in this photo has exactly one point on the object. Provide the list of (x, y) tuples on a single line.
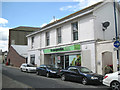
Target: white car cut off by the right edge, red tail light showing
[(112, 80)]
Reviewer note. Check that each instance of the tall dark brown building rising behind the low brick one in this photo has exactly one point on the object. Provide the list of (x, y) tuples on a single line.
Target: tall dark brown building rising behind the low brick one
[(17, 36)]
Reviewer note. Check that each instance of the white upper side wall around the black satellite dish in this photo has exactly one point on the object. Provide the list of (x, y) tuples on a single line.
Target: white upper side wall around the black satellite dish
[(103, 14)]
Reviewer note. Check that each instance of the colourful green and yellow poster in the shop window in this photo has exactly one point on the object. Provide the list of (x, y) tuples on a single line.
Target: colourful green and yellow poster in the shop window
[(74, 60)]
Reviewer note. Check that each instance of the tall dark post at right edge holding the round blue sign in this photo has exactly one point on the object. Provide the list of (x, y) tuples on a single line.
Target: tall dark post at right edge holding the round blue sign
[(115, 18)]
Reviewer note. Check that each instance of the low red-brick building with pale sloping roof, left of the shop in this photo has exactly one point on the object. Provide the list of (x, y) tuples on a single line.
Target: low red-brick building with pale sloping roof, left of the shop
[(17, 55)]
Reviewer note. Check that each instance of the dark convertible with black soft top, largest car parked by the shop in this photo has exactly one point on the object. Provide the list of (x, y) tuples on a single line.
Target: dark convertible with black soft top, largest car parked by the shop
[(80, 74)]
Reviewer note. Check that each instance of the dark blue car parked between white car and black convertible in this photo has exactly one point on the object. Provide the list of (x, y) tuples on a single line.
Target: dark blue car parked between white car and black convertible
[(48, 70)]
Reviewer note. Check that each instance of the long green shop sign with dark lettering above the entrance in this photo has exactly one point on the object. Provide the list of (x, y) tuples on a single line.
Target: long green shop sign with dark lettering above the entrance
[(63, 49)]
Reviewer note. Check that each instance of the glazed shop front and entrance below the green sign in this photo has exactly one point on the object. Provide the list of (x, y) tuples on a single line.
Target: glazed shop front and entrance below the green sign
[(63, 61)]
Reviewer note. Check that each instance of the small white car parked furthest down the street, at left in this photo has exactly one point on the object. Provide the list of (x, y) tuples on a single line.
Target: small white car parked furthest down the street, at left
[(27, 68)]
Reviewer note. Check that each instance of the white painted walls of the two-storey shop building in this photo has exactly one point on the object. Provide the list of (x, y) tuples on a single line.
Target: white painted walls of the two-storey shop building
[(90, 28)]
